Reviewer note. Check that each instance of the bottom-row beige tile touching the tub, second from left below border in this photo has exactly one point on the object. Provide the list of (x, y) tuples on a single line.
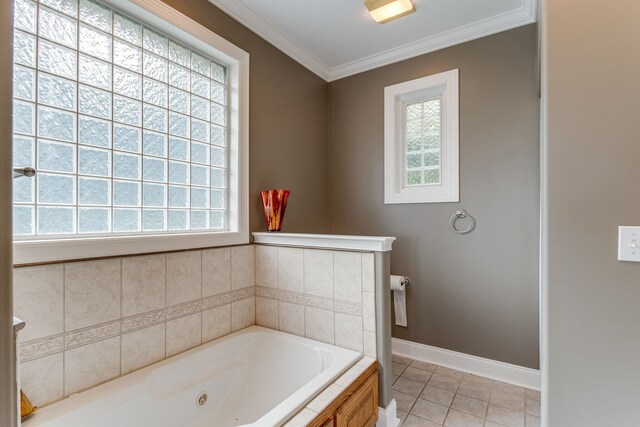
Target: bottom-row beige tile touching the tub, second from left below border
[(90, 365)]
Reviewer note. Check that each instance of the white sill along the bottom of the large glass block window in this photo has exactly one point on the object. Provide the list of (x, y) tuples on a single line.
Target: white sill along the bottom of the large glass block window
[(50, 251)]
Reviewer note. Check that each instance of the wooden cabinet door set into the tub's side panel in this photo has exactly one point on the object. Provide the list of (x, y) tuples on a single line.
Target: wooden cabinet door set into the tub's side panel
[(361, 410)]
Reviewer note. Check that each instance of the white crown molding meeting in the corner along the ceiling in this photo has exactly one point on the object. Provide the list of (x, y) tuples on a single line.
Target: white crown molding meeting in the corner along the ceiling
[(506, 21)]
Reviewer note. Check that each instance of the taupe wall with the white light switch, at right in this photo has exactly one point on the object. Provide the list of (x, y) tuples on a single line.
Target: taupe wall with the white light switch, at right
[(592, 96)]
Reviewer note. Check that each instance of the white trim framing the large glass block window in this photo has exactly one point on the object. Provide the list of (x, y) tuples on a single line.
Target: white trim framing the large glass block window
[(182, 28)]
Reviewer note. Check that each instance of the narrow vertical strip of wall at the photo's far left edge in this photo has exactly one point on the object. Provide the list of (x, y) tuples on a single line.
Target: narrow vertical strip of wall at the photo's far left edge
[(7, 352)]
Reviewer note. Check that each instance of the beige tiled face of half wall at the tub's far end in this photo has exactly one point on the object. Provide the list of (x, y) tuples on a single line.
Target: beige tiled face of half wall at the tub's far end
[(320, 294)]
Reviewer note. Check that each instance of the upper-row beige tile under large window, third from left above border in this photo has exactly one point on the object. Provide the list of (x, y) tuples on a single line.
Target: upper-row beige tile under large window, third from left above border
[(143, 284)]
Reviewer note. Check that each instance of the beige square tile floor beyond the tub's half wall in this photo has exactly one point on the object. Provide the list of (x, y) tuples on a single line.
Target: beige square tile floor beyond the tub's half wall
[(429, 395)]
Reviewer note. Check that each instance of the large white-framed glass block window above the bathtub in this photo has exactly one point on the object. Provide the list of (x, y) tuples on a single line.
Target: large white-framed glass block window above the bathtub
[(136, 119)]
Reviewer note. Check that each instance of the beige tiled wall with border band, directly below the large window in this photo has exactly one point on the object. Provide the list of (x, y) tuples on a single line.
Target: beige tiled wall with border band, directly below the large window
[(91, 321)]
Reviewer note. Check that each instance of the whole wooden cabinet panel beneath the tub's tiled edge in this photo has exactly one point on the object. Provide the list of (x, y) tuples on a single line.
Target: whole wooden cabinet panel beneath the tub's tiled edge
[(356, 406)]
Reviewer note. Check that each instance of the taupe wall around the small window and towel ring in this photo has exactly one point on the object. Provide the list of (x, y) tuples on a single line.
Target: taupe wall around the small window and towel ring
[(475, 293)]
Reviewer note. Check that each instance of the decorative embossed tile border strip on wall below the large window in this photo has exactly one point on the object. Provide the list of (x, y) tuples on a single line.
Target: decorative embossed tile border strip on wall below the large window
[(35, 349)]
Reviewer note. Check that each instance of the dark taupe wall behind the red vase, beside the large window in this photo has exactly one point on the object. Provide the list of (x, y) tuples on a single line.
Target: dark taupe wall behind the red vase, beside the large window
[(287, 124)]
